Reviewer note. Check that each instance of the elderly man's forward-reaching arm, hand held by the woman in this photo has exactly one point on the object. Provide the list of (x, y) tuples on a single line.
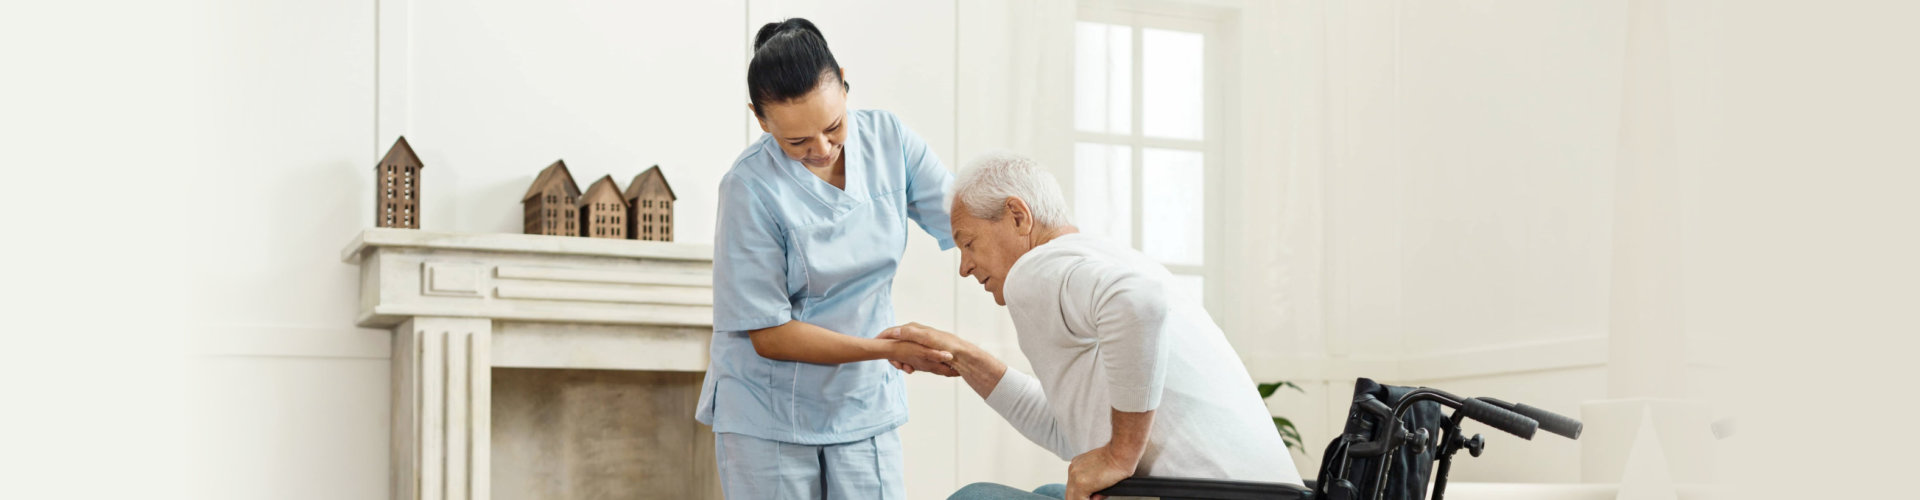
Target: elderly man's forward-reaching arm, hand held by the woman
[(1015, 395)]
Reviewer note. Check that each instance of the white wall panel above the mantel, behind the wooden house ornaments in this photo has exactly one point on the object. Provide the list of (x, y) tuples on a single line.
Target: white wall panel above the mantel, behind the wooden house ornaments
[(496, 91)]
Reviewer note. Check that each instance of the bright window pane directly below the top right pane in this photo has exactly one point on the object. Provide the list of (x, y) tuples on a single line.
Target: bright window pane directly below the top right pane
[(1174, 207)]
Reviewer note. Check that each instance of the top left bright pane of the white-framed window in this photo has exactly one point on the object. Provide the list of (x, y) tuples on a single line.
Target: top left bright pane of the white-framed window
[(1103, 78)]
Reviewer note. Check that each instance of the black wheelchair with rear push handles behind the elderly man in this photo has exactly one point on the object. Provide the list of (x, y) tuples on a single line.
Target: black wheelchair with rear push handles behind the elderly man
[(1393, 439)]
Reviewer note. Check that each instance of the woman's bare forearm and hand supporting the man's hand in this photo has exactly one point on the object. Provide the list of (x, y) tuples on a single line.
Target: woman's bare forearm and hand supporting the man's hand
[(800, 341)]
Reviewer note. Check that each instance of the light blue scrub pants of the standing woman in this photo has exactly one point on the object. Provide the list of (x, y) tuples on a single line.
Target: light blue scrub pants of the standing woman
[(771, 470)]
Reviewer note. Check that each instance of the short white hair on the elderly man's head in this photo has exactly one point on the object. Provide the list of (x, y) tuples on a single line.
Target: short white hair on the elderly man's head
[(997, 176)]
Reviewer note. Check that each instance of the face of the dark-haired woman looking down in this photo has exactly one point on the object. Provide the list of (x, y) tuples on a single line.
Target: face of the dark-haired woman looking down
[(811, 130)]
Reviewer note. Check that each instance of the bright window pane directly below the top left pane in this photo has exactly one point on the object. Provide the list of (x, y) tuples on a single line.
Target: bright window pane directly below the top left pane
[(1103, 191)]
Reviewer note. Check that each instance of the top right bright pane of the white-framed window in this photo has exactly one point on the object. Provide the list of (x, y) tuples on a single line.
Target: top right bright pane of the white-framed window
[(1172, 74)]
